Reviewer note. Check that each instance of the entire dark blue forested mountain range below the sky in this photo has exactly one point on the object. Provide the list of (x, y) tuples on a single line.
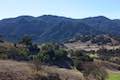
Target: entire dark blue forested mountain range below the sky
[(55, 28)]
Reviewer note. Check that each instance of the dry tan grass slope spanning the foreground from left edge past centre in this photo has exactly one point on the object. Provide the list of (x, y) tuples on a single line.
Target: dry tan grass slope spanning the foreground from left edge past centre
[(12, 70)]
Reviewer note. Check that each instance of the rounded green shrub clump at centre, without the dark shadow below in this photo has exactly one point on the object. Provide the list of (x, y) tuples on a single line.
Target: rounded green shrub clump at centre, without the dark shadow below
[(51, 52)]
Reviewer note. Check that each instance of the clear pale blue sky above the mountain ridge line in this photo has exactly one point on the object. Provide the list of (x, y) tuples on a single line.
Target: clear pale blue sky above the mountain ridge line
[(67, 8)]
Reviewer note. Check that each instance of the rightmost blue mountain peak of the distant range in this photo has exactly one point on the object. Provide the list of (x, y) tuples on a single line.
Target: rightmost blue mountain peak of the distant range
[(103, 24)]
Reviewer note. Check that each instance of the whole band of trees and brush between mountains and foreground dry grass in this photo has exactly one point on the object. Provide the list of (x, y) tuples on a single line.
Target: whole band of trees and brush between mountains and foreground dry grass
[(56, 55)]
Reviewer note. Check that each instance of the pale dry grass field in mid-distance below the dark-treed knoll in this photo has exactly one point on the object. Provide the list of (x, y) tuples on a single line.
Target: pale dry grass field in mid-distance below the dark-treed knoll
[(84, 46)]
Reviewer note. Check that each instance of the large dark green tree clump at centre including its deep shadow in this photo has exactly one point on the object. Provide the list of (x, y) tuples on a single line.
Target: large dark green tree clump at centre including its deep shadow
[(54, 55)]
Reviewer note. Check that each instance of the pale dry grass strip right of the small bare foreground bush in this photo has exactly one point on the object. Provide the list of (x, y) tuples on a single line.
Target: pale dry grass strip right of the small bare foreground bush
[(65, 74)]
